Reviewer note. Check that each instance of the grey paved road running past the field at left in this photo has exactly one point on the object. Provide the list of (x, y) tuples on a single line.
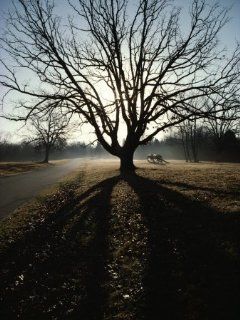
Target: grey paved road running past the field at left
[(15, 190)]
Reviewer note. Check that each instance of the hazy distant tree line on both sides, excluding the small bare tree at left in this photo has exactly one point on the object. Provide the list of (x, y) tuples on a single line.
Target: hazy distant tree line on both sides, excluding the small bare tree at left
[(191, 143)]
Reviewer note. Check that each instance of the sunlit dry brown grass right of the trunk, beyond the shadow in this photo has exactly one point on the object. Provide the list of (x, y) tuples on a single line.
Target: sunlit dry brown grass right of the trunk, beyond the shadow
[(215, 184)]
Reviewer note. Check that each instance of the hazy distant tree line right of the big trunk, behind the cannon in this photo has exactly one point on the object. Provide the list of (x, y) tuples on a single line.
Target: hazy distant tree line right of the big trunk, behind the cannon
[(194, 144)]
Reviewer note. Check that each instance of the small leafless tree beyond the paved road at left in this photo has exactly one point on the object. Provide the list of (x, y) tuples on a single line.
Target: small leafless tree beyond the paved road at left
[(48, 131)]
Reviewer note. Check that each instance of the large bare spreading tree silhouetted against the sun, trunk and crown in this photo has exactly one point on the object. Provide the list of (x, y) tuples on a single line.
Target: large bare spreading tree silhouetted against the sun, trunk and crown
[(122, 68)]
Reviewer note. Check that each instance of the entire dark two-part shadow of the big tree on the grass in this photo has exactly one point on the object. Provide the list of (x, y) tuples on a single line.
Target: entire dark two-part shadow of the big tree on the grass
[(192, 268)]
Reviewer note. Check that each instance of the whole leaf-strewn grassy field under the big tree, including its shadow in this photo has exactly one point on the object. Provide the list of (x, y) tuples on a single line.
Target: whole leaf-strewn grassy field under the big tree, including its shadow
[(163, 243)]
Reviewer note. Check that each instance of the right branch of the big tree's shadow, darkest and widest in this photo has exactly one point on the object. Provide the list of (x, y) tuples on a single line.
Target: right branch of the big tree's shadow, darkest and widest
[(193, 266)]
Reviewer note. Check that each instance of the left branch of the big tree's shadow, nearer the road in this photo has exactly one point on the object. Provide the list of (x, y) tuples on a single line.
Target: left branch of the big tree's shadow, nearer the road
[(58, 270)]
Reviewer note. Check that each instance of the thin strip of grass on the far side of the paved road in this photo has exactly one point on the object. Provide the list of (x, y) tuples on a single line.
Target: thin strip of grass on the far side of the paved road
[(12, 168)]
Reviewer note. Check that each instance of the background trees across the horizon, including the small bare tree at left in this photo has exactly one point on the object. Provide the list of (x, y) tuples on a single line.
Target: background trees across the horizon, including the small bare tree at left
[(212, 139)]
